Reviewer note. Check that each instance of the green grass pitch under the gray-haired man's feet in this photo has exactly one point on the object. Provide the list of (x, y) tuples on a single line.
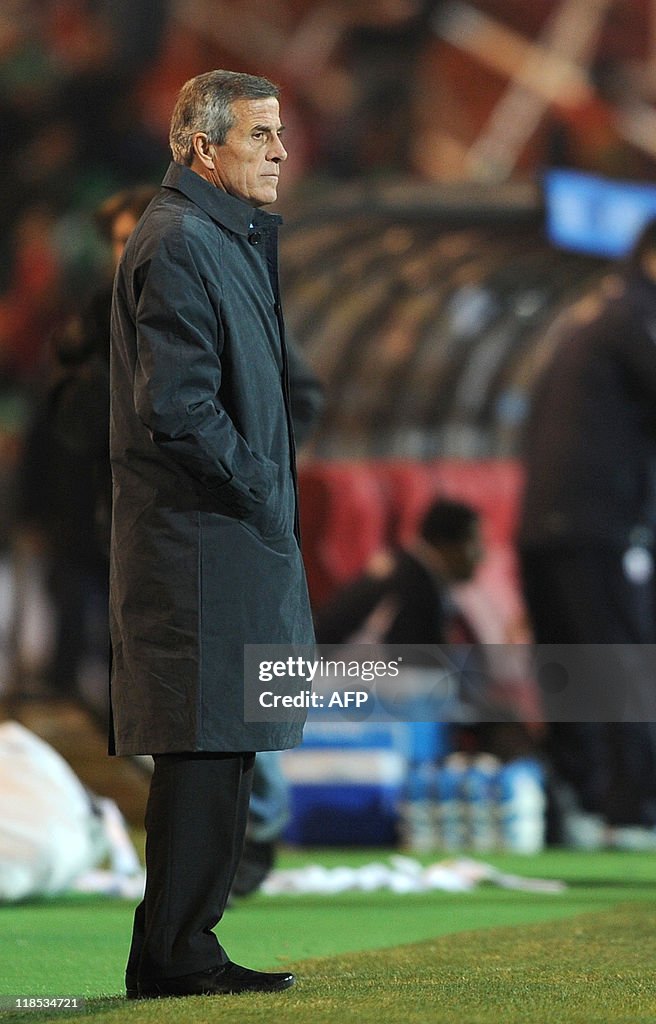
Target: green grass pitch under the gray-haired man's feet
[(490, 957)]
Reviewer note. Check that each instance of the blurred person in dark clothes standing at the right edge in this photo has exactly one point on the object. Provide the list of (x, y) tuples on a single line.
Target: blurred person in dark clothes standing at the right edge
[(588, 542)]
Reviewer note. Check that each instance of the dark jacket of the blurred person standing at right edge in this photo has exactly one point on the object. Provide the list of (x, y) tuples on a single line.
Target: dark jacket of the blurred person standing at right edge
[(591, 446)]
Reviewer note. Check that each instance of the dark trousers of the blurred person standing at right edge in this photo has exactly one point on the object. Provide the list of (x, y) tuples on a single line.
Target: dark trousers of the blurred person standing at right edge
[(584, 595)]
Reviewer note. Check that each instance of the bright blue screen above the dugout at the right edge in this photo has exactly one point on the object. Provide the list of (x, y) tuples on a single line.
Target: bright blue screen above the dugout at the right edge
[(596, 216)]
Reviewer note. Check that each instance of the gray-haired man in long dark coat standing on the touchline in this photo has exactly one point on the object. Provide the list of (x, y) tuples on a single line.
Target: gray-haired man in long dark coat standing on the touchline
[(205, 551)]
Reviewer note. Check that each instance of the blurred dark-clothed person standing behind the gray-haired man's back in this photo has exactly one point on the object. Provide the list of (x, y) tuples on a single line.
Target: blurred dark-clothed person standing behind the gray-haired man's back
[(66, 480)]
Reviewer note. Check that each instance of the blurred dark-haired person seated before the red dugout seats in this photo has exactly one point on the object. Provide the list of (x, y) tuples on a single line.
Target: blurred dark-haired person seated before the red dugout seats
[(409, 596)]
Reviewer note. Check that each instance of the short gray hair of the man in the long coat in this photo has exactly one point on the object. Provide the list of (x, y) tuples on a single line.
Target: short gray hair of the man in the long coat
[(205, 104)]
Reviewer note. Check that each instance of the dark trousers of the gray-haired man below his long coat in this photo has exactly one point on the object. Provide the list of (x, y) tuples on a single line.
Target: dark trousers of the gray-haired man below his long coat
[(196, 823)]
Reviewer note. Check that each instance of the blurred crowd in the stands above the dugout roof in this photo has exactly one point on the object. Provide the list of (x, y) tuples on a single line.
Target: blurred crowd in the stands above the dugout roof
[(404, 91)]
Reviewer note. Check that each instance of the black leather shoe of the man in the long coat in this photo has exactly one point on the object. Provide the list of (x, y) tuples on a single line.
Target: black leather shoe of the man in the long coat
[(229, 979)]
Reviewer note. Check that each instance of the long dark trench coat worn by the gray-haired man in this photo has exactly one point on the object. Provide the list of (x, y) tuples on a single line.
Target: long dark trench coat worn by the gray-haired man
[(205, 552)]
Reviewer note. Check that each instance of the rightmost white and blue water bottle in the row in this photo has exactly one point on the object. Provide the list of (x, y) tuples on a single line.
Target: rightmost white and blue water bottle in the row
[(522, 805)]
